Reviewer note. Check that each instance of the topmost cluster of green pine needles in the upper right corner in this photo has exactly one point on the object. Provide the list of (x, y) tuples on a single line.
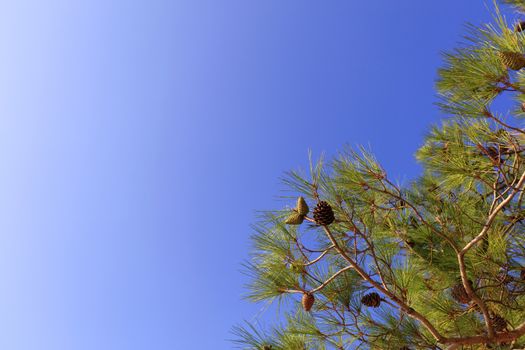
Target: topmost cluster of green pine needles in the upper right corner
[(473, 74)]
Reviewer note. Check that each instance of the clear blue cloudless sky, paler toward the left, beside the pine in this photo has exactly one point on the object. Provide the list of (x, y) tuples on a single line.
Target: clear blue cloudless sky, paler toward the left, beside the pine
[(137, 139)]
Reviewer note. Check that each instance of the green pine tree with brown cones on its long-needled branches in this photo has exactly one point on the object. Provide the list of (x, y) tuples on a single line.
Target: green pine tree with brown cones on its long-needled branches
[(438, 263)]
